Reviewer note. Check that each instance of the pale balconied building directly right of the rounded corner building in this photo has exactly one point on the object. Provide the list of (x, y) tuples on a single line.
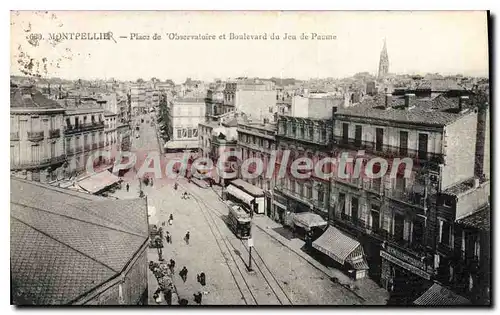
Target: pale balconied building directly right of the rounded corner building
[(84, 134)]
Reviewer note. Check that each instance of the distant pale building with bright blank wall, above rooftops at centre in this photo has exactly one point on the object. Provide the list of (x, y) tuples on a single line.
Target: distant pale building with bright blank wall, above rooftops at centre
[(254, 98)]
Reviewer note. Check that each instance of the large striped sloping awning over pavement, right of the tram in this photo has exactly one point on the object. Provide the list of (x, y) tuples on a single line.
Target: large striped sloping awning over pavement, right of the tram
[(340, 247)]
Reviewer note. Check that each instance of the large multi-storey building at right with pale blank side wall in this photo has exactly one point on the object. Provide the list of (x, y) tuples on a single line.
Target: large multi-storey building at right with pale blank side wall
[(397, 217)]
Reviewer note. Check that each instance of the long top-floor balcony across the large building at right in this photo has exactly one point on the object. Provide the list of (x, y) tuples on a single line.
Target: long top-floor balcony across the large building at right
[(388, 151)]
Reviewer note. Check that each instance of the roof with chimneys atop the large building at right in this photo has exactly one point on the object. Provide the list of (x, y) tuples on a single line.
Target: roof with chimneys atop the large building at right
[(438, 111)]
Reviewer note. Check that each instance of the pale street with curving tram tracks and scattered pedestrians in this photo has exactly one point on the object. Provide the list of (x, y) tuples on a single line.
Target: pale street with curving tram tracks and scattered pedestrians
[(279, 276)]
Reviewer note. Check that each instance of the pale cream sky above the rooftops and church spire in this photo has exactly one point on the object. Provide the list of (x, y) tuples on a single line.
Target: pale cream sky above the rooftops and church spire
[(447, 42)]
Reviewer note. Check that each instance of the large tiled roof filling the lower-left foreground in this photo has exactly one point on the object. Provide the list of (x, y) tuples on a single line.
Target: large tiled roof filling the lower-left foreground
[(65, 243)]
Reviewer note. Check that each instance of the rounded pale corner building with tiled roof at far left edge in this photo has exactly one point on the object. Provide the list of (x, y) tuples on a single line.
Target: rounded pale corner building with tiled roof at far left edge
[(36, 135)]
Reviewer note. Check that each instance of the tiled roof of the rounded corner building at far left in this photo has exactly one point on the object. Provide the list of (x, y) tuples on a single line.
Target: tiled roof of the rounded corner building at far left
[(29, 97)]
